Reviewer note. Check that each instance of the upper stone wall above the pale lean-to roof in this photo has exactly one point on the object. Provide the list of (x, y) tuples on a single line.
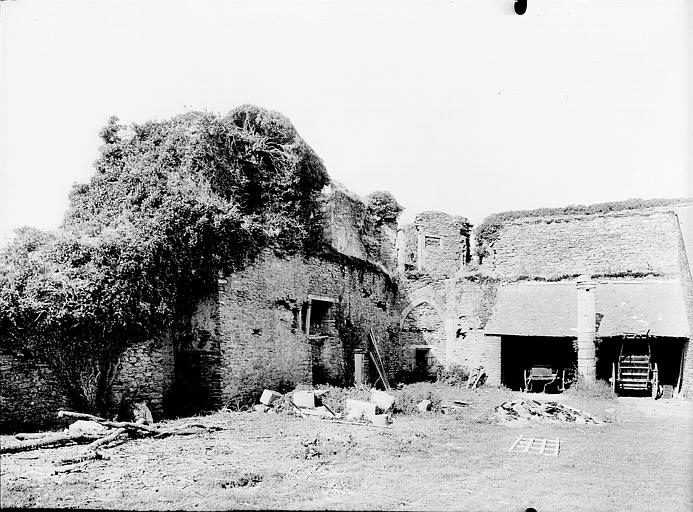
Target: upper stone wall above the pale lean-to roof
[(641, 241)]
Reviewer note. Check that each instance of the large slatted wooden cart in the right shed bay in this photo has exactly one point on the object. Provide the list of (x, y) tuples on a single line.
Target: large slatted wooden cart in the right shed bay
[(634, 368)]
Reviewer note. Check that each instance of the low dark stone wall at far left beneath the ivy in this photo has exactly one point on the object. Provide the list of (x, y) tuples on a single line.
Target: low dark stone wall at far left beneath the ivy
[(30, 395)]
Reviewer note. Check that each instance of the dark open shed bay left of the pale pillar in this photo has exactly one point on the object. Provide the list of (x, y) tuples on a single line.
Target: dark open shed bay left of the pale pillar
[(520, 353)]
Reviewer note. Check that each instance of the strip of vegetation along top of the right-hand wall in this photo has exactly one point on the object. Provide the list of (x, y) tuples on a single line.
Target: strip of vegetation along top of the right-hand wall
[(488, 231)]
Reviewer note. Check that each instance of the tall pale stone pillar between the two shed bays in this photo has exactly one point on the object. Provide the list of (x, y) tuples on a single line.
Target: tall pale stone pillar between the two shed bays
[(586, 326)]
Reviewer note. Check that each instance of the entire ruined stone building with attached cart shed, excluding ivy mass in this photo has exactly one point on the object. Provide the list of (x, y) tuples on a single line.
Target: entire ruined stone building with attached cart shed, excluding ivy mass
[(557, 290)]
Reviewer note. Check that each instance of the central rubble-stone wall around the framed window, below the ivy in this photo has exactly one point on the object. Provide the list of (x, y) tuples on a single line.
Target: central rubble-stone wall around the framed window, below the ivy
[(261, 319)]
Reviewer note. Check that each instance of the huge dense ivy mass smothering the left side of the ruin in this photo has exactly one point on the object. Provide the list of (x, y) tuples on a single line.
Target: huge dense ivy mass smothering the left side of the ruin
[(171, 204)]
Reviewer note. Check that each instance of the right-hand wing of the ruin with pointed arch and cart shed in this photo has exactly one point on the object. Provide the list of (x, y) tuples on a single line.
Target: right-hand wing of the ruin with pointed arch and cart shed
[(563, 291)]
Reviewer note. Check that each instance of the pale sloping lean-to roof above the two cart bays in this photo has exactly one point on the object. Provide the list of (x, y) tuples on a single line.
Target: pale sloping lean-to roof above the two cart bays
[(550, 309)]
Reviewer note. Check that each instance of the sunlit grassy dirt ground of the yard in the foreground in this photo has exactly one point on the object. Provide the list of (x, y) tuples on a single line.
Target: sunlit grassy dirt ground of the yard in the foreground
[(641, 459)]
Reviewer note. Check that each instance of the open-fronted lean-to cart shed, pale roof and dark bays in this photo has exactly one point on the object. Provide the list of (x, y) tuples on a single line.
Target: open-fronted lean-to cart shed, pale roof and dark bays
[(537, 326)]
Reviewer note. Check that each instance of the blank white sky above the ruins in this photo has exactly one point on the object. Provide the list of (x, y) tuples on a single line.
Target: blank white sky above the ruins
[(460, 106)]
